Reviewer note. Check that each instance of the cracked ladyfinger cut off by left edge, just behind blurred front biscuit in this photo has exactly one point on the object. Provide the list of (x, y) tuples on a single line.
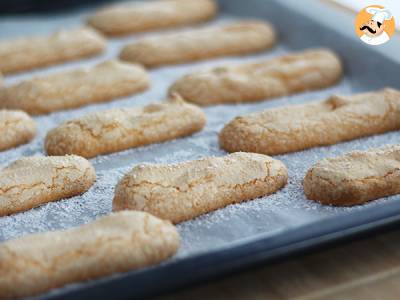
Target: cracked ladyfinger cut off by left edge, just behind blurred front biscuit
[(31, 181)]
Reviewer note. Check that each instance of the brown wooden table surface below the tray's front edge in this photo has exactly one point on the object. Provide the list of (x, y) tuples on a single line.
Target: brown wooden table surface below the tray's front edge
[(362, 269)]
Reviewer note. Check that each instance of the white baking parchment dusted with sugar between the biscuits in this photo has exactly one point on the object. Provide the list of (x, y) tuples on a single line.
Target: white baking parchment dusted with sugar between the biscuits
[(265, 216)]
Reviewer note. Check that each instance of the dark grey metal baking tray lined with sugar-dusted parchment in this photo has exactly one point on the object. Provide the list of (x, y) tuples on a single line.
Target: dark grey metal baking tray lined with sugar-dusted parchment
[(239, 235)]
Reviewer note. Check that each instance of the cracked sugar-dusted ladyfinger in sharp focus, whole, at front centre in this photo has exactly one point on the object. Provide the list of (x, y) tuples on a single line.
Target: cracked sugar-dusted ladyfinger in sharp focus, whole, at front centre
[(184, 191)]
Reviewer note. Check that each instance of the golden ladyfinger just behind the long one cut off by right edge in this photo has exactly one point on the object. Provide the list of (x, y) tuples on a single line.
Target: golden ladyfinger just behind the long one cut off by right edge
[(308, 70)]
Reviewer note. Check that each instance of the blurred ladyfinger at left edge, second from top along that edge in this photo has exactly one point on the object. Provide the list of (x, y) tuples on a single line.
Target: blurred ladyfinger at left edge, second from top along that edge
[(65, 90)]
